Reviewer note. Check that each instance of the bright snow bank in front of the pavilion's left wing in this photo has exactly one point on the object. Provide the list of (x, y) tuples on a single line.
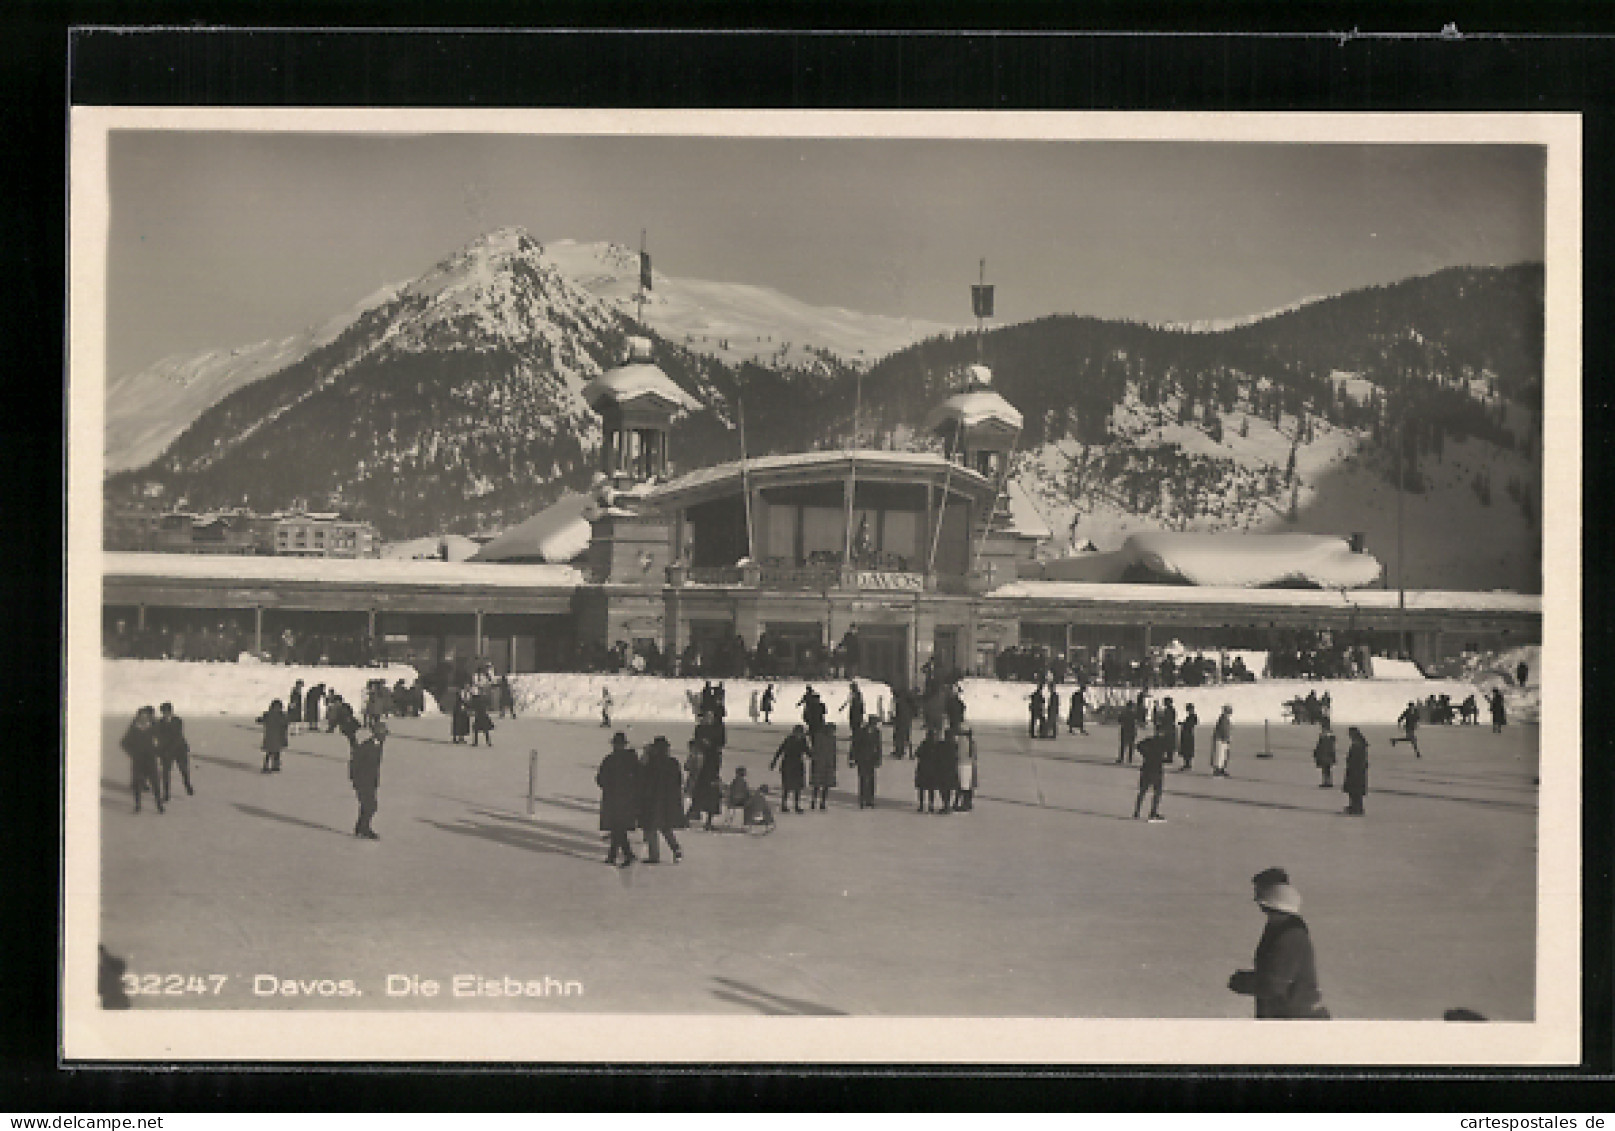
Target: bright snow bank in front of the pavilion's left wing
[(229, 689)]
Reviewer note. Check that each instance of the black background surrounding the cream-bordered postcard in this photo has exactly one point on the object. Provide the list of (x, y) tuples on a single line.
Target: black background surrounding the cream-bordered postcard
[(1118, 57)]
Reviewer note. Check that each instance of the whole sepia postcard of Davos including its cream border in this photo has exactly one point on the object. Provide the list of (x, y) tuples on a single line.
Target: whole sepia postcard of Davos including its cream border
[(537, 579)]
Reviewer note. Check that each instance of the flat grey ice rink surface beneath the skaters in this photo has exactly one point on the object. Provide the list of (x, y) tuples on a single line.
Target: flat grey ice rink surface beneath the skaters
[(1047, 901)]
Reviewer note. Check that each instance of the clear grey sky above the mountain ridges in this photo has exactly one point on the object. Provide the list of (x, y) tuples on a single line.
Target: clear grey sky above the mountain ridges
[(225, 240)]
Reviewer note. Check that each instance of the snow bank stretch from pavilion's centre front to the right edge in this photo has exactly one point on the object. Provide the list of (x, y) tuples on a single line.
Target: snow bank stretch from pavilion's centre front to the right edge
[(988, 702)]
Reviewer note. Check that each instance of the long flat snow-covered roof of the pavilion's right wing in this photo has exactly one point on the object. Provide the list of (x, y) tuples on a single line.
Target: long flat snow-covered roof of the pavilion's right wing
[(1344, 600)]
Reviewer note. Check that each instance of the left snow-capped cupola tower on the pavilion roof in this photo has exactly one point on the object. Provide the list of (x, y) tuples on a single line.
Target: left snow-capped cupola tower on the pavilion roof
[(637, 405)]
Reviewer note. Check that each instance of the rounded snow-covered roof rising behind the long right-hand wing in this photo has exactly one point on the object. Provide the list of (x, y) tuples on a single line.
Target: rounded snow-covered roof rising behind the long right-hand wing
[(1227, 560)]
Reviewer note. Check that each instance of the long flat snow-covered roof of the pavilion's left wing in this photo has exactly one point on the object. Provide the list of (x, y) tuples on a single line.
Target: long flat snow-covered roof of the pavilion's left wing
[(350, 571)]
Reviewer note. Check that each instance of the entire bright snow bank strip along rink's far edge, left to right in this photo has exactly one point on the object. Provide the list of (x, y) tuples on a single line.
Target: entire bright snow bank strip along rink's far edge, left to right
[(248, 689)]
